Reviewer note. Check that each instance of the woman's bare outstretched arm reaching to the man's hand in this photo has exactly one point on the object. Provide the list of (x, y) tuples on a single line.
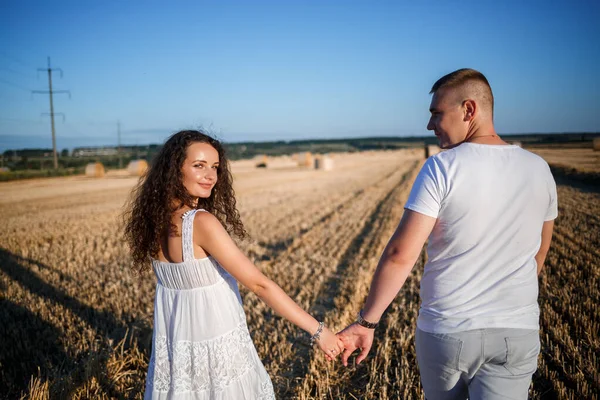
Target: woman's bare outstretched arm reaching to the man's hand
[(215, 240)]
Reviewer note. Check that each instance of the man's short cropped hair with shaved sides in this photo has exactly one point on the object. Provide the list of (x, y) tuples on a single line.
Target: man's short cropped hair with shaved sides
[(473, 82)]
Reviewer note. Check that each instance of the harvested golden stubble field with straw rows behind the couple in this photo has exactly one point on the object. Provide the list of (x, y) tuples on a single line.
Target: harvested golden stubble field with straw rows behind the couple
[(75, 322)]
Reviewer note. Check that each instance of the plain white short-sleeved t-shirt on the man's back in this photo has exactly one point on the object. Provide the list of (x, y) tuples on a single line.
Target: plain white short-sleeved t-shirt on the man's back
[(490, 202)]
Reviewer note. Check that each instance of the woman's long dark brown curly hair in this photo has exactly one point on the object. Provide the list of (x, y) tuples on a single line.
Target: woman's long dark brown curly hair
[(160, 192)]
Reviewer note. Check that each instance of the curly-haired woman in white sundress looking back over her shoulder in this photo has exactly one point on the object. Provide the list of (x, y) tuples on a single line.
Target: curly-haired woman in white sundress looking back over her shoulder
[(178, 221)]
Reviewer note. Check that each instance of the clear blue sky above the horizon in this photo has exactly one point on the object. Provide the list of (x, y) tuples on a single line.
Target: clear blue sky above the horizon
[(281, 70)]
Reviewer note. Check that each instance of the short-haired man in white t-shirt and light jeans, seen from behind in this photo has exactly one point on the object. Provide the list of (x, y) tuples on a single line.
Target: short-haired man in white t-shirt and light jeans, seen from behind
[(487, 208)]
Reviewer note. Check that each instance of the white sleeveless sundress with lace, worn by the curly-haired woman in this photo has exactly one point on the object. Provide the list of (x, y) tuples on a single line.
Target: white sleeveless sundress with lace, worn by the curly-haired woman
[(201, 347)]
